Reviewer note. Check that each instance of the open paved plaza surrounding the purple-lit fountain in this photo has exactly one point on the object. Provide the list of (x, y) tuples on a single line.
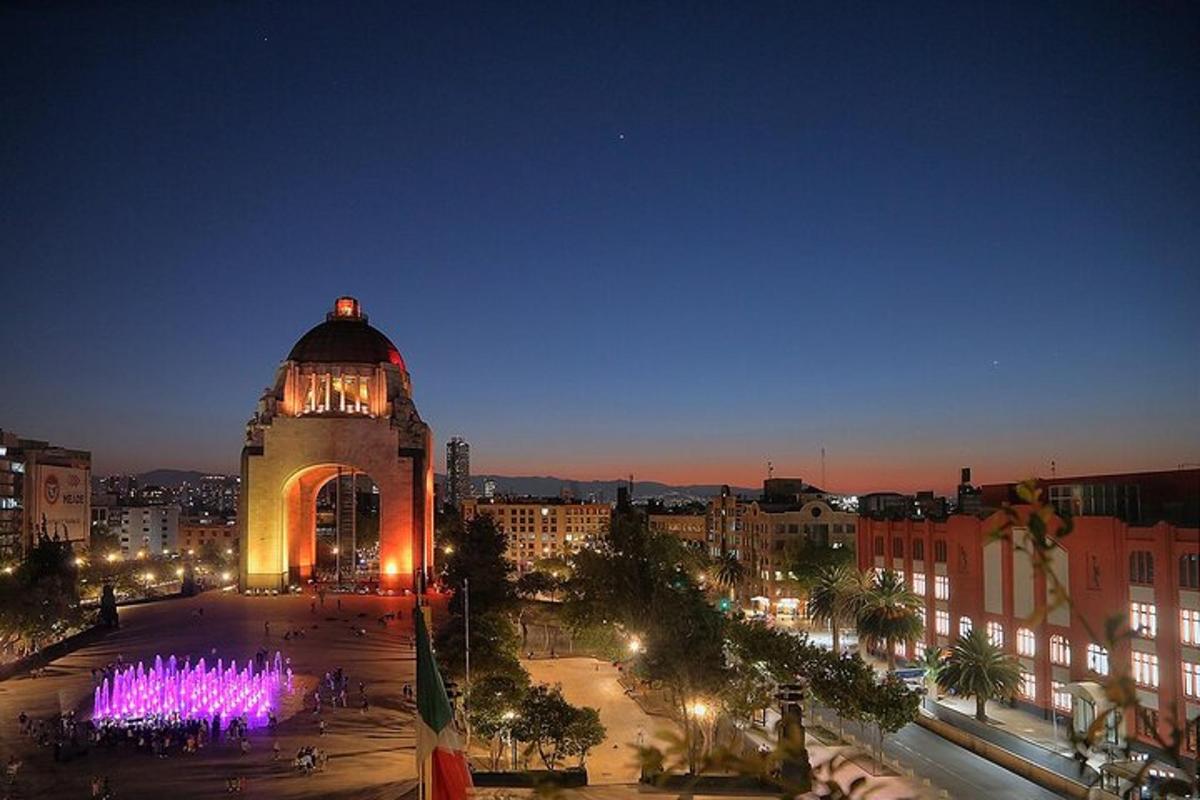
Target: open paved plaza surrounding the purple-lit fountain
[(370, 756)]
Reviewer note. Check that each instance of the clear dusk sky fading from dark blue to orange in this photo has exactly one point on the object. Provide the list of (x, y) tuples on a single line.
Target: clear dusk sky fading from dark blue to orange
[(677, 240)]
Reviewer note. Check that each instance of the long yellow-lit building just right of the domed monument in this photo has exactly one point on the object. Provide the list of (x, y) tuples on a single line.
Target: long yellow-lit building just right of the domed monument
[(543, 528)]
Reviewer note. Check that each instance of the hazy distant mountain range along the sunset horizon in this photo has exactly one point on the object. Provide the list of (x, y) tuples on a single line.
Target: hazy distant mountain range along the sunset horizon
[(519, 485)]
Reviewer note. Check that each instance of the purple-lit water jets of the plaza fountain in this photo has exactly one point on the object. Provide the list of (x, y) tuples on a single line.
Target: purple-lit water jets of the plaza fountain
[(193, 693)]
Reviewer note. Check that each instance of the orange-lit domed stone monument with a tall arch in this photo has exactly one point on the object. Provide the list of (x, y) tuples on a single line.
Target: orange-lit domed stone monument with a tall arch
[(341, 402)]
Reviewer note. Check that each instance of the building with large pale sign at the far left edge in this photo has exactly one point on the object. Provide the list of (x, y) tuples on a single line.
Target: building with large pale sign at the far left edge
[(45, 490)]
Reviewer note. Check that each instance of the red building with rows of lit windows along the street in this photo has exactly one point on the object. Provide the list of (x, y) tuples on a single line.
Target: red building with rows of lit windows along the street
[(1145, 573)]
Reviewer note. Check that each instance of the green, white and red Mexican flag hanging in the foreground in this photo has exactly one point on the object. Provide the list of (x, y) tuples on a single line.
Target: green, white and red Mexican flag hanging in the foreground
[(439, 750)]
